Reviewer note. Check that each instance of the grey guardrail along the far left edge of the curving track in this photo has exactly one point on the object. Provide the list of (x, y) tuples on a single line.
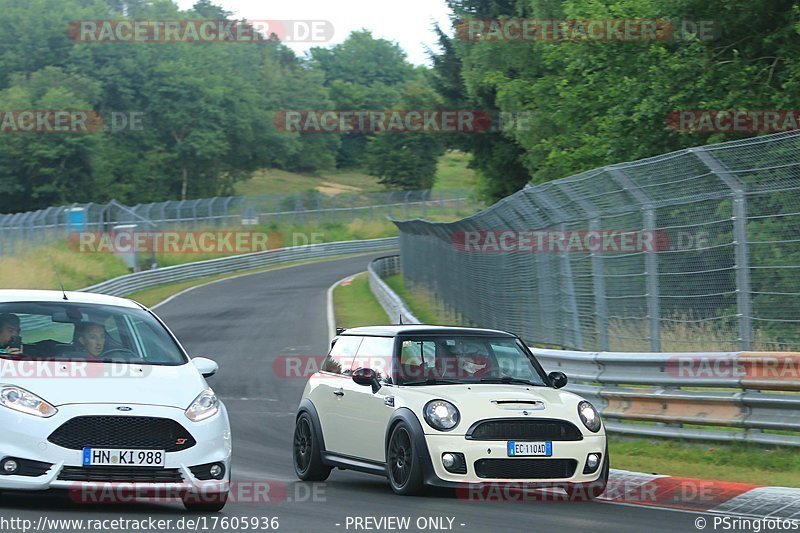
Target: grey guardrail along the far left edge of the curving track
[(147, 279)]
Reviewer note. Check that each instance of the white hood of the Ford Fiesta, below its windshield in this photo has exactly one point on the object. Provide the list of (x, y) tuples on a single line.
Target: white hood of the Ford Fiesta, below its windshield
[(61, 383)]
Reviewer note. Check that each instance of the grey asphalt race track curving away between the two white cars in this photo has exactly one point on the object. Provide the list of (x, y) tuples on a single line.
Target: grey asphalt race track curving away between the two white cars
[(244, 324)]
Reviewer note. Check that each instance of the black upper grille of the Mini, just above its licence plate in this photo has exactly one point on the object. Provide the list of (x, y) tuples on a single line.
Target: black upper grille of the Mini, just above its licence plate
[(533, 429)]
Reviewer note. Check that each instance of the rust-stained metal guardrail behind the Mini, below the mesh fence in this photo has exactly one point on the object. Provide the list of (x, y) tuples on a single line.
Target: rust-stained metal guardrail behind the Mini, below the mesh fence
[(721, 396)]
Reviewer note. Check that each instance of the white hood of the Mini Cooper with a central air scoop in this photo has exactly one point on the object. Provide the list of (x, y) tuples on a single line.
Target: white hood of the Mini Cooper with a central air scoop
[(481, 401)]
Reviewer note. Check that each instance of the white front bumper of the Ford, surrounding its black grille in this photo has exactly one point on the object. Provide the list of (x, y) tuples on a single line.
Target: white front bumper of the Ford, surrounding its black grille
[(25, 437)]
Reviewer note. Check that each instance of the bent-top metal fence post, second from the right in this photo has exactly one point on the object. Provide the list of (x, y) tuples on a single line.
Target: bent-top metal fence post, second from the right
[(650, 259)]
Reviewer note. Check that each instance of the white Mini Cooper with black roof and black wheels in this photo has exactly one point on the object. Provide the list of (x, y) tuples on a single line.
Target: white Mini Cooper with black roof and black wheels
[(448, 407)]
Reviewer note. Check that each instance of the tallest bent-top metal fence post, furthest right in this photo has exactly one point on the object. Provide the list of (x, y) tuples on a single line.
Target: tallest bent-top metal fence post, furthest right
[(742, 253)]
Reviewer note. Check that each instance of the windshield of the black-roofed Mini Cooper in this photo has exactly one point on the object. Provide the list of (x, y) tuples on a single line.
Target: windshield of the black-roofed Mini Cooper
[(441, 360)]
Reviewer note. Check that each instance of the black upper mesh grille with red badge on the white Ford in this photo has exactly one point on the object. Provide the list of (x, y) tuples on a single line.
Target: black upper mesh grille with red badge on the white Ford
[(129, 432)]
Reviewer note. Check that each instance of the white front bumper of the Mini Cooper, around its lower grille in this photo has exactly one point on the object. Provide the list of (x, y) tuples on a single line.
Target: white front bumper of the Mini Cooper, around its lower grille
[(487, 462)]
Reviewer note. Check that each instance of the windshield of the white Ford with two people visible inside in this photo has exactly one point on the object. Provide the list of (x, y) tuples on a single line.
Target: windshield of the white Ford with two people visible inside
[(65, 331)]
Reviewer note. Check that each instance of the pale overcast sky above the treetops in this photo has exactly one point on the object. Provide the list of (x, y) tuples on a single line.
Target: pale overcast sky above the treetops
[(408, 22)]
